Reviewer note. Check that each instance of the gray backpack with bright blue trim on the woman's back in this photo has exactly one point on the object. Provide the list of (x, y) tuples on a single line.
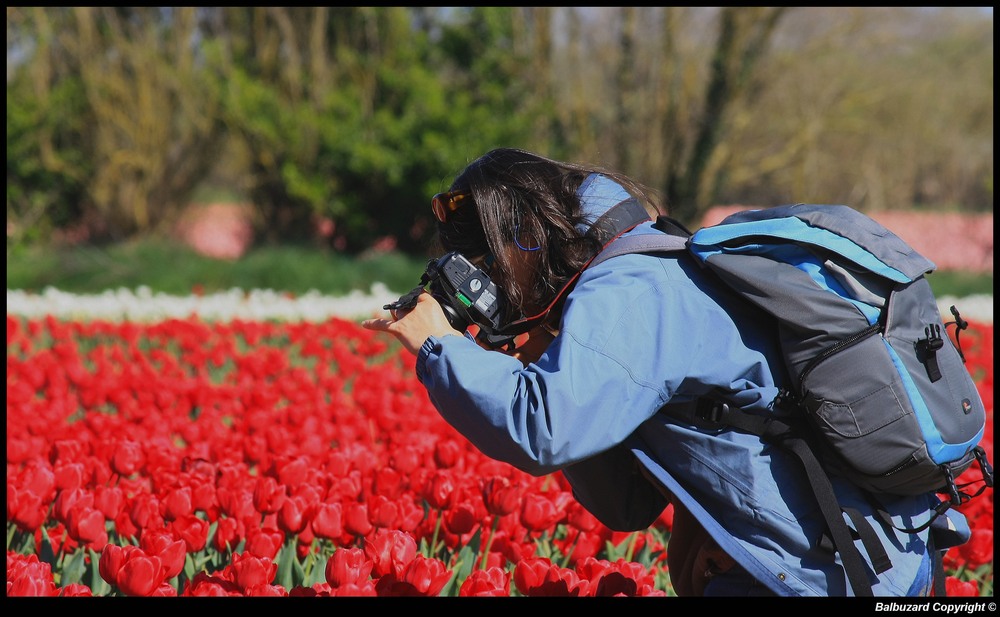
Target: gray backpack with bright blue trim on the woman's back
[(880, 392)]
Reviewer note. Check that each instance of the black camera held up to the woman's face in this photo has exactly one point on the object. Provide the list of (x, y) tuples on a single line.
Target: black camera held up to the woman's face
[(465, 293)]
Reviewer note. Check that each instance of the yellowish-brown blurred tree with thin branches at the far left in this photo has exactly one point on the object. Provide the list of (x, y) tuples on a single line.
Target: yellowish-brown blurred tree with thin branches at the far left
[(132, 140)]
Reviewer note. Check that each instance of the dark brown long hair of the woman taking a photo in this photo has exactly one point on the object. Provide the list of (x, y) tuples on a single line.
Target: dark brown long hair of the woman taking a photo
[(526, 197)]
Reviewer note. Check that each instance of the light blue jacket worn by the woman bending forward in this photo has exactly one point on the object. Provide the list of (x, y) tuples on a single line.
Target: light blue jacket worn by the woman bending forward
[(639, 331)]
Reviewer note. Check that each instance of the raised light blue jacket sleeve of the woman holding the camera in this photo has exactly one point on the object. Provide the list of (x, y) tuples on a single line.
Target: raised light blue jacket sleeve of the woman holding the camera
[(598, 381)]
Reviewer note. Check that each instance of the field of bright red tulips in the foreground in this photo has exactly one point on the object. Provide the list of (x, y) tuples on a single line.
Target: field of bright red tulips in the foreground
[(183, 457)]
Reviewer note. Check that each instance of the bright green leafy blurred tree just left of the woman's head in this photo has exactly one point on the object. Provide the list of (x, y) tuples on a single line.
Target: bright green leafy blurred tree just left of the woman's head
[(352, 115)]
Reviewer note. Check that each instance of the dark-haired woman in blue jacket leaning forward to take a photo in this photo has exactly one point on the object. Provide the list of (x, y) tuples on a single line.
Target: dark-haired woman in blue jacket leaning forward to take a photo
[(611, 345)]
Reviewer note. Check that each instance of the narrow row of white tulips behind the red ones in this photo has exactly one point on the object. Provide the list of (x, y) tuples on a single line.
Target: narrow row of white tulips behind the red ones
[(263, 304)]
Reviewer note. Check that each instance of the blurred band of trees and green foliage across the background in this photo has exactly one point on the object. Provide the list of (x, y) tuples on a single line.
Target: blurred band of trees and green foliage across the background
[(117, 116)]
